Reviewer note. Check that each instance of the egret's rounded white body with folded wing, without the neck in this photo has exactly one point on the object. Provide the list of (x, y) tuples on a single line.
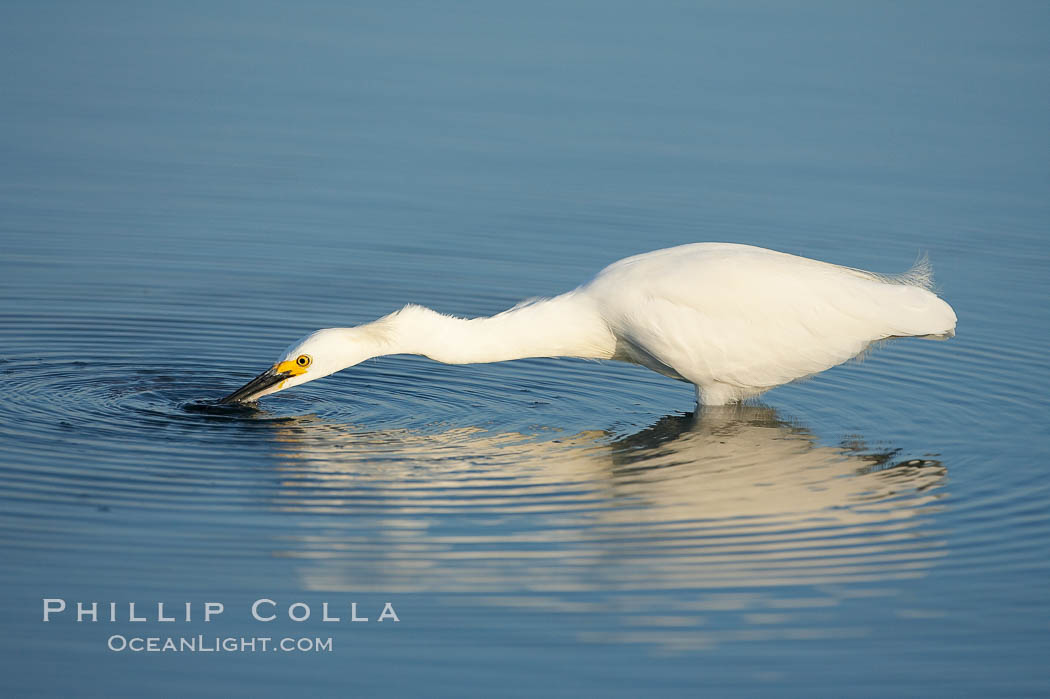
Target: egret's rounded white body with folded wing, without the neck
[(754, 319)]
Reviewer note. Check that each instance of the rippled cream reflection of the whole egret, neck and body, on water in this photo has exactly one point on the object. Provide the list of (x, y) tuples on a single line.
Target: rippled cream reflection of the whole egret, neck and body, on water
[(725, 499)]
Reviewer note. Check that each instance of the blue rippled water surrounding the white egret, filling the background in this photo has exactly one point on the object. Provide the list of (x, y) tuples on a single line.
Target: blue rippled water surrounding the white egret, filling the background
[(187, 188)]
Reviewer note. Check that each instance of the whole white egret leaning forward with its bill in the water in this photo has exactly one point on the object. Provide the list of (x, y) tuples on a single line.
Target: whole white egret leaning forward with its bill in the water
[(734, 321)]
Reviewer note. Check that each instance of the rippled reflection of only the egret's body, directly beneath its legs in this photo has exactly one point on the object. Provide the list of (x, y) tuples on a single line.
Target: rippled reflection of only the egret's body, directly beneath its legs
[(730, 463)]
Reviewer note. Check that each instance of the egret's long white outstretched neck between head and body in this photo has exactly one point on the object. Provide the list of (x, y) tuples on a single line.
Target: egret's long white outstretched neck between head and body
[(568, 326)]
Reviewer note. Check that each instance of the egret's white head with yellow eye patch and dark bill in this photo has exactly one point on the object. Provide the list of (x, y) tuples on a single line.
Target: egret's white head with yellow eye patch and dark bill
[(316, 356)]
